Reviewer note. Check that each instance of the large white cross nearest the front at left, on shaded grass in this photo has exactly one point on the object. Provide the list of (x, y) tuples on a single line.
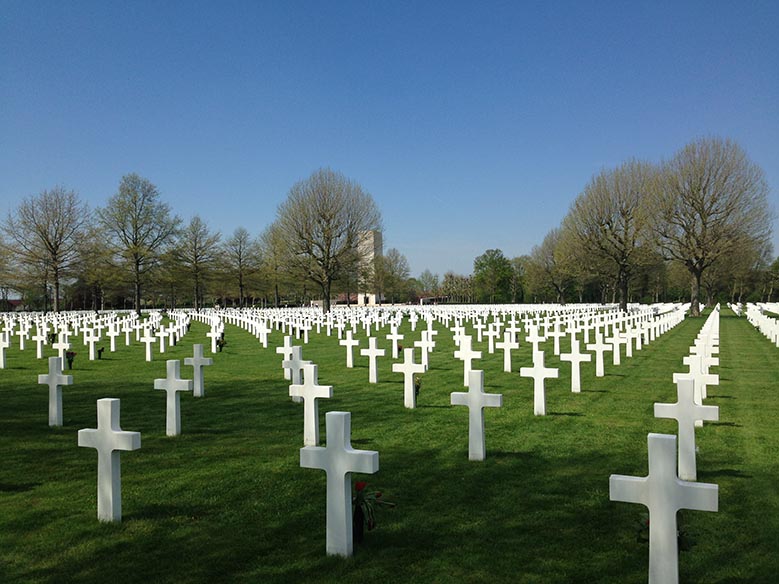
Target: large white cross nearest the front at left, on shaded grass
[(109, 439)]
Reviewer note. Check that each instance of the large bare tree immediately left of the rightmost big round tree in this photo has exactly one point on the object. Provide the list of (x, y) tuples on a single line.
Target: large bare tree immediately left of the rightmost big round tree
[(609, 221)]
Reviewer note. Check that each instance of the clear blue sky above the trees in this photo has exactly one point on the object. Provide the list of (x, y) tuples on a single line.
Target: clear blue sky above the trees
[(473, 125)]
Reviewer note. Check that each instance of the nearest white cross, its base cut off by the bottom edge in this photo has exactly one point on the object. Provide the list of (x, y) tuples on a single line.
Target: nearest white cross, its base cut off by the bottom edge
[(663, 494)]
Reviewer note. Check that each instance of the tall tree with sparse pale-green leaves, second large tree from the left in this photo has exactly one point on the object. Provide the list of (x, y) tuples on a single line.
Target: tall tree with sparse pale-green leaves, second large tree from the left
[(139, 227)]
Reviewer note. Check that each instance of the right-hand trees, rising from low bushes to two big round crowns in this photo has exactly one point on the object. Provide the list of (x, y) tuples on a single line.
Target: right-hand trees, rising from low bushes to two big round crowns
[(695, 227)]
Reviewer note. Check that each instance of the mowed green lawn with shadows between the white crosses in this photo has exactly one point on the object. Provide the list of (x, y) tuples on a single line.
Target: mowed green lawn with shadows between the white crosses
[(227, 500)]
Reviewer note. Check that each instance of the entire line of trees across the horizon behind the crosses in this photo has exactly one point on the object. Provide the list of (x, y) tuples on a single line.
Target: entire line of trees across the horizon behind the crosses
[(694, 227)]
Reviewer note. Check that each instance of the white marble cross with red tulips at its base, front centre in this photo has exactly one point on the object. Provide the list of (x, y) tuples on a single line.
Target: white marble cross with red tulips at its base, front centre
[(339, 460)]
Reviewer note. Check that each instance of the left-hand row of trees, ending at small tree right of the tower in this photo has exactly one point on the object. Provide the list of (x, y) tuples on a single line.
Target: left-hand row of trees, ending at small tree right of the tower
[(135, 253)]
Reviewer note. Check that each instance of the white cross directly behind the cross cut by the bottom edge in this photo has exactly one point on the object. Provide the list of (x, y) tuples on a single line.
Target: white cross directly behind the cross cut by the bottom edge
[(685, 411)]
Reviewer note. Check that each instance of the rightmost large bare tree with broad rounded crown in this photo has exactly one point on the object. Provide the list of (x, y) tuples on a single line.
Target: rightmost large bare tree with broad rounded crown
[(710, 199)]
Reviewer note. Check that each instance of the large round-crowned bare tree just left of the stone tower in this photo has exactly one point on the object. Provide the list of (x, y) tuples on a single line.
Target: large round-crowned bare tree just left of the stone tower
[(321, 222)]
